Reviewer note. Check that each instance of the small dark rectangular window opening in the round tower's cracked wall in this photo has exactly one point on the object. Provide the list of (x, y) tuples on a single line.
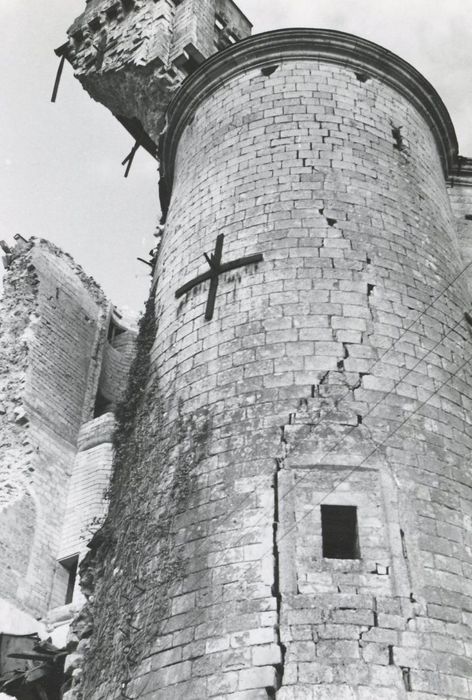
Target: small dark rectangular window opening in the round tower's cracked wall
[(339, 532)]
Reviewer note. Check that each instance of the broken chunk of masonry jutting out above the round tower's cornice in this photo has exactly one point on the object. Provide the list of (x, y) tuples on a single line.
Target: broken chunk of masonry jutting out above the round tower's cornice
[(133, 55)]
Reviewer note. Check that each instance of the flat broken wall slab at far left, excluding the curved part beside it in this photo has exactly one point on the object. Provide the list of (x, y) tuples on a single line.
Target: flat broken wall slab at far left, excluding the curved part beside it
[(52, 316)]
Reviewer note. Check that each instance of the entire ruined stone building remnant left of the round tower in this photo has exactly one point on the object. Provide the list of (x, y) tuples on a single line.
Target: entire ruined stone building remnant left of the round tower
[(64, 359)]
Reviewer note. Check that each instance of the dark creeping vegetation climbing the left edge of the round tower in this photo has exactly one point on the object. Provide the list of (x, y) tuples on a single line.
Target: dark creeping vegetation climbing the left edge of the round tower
[(134, 559)]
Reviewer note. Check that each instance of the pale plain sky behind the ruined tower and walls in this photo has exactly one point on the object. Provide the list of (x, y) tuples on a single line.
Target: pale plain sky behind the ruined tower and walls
[(60, 165)]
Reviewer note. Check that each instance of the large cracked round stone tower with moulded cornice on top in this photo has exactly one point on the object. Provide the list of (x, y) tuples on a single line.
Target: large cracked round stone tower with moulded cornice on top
[(291, 504)]
